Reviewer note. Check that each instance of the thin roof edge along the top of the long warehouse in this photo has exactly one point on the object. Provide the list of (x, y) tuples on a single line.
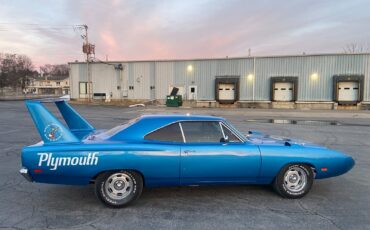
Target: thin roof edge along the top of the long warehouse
[(223, 58)]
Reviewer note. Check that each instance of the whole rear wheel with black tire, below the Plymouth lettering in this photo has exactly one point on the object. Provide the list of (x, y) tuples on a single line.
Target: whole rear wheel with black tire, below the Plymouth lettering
[(119, 188)]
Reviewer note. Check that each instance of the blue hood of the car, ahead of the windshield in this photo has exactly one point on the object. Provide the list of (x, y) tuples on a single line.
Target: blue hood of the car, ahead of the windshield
[(259, 138)]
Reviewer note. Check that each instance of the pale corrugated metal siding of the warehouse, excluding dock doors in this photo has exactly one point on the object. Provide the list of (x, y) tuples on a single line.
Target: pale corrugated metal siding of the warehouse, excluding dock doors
[(162, 74)]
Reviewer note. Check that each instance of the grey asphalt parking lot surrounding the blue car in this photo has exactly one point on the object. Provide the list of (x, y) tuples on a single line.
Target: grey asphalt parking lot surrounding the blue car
[(336, 203)]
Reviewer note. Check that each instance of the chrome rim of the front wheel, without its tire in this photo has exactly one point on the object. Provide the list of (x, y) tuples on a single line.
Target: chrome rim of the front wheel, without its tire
[(295, 179)]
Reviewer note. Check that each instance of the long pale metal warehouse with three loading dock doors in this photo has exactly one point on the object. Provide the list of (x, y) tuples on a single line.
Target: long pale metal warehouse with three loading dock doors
[(321, 81)]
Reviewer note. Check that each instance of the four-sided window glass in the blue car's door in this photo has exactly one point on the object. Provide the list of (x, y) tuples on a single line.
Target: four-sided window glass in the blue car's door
[(202, 131)]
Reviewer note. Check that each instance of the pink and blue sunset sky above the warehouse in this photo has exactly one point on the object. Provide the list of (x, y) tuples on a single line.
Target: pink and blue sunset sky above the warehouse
[(175, 29)]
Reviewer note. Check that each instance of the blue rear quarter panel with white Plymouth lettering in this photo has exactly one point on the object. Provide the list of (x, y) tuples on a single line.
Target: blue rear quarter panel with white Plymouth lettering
[(158, 164)]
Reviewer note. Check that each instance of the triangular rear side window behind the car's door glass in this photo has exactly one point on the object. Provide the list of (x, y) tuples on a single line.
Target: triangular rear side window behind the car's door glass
[(169, 133)]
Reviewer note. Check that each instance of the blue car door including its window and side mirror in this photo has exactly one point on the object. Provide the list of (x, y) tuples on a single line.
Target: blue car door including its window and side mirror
[(207, 158)]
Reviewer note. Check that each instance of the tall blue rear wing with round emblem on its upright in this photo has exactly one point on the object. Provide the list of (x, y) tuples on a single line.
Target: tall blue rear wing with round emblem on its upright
[(51, 129)]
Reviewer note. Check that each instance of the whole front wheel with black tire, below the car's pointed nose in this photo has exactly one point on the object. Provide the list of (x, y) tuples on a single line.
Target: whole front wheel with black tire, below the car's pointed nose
[(296, 173)]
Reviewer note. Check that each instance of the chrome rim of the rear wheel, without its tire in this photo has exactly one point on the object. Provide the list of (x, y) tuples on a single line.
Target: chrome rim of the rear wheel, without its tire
[(118, 186)]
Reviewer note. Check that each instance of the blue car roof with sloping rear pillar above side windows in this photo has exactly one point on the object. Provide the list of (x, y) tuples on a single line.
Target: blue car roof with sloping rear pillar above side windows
[(148, 123)]
